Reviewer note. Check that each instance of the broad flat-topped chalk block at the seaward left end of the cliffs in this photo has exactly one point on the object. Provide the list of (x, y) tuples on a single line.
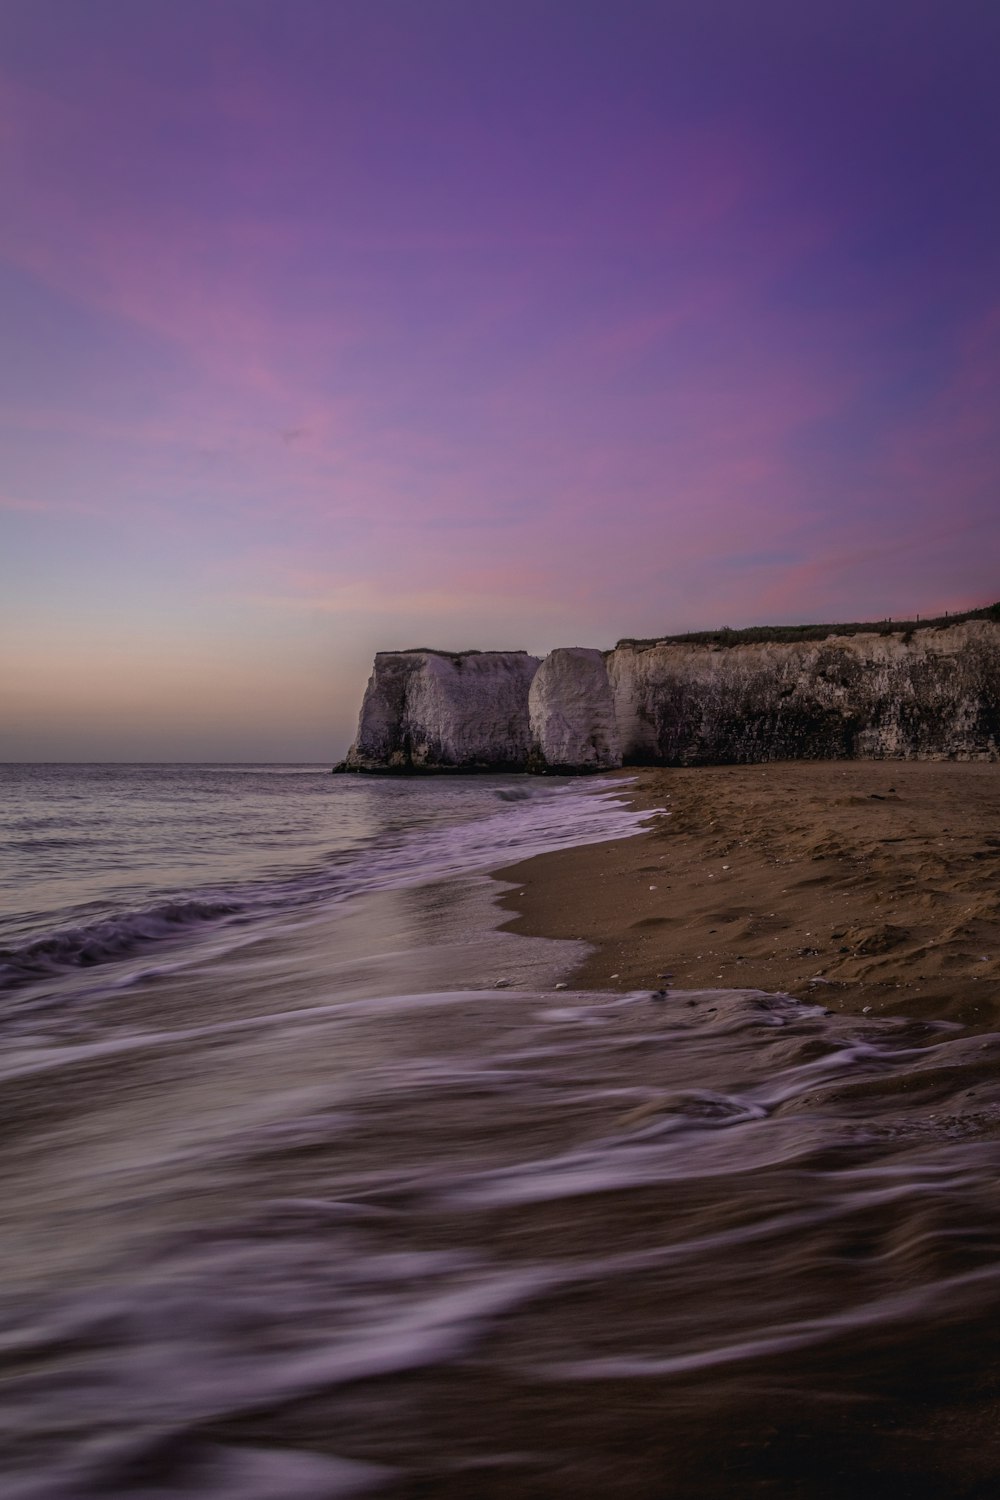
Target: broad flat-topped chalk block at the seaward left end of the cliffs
[(443, 712)]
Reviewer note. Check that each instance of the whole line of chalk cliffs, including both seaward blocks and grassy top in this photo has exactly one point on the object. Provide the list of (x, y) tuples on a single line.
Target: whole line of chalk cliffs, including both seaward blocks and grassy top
[(882, 694)]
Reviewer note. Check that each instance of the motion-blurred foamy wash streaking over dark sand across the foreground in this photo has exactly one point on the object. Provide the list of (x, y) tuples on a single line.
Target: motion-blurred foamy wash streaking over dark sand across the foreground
[(466, 1244)]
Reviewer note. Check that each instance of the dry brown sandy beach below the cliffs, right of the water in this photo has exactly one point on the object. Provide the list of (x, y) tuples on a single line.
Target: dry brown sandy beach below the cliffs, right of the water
[(866, 886)]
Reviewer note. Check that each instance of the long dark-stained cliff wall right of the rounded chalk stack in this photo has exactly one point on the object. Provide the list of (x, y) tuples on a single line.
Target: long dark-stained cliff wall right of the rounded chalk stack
[(876, 697)]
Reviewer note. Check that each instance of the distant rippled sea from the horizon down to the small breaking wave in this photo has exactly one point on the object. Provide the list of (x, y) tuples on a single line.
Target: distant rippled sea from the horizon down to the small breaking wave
[(98, 863)]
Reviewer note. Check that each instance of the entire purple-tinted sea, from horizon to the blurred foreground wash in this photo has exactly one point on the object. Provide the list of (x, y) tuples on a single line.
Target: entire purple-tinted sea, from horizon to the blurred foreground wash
[(317, 1183)]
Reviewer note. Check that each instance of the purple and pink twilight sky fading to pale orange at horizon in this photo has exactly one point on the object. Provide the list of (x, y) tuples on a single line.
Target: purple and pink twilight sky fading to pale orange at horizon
[(340, 326)]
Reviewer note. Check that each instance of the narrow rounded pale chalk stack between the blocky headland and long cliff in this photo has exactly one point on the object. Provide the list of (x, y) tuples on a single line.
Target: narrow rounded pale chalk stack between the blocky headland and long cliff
[(572, 713)]
